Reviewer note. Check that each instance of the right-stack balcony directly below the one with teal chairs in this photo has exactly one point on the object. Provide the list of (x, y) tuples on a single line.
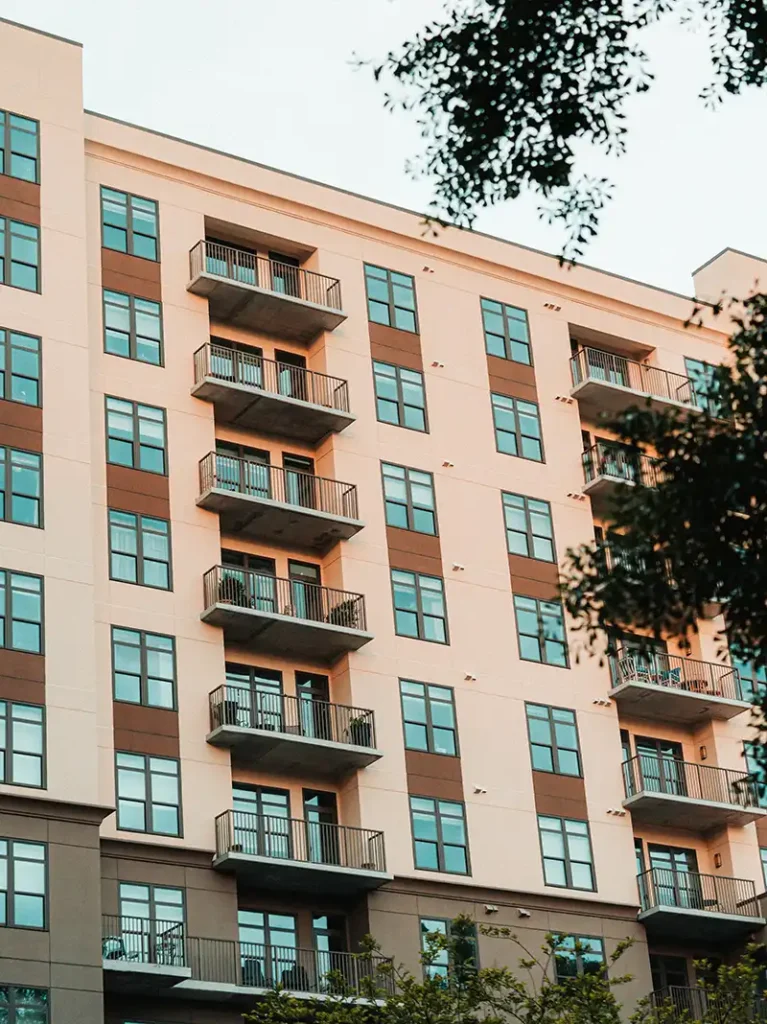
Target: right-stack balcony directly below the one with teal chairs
[(671, 794)]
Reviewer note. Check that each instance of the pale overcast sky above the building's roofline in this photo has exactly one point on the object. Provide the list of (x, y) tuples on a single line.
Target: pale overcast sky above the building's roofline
[(273, 80)]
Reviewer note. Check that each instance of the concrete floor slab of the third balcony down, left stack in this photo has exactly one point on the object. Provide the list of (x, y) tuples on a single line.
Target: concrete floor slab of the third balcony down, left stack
[(266, 520)]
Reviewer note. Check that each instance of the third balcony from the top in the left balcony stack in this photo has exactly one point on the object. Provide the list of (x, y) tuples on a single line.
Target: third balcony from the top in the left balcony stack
[(269, 503)]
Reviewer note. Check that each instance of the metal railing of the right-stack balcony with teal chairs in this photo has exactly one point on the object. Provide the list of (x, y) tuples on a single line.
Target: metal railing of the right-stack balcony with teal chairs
[(686, 674)]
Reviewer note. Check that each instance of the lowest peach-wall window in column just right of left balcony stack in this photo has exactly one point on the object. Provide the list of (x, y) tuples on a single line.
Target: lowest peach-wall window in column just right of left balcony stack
[(440, 836)]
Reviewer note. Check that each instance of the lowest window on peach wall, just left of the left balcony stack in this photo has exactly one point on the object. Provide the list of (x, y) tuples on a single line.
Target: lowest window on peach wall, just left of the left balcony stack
[(149, 796)]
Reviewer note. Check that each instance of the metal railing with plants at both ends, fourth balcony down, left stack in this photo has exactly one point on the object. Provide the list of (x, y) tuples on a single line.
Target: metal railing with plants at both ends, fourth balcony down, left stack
[(275, 595)]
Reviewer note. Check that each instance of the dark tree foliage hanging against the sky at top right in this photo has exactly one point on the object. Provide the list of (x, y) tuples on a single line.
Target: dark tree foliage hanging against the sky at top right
[(503, 90)]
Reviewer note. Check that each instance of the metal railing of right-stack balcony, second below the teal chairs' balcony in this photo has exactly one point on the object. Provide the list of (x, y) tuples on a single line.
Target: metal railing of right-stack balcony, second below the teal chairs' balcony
[(692, 891)]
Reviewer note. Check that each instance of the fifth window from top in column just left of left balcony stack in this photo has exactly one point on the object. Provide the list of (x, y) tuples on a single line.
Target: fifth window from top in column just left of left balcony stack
[(144, 668)]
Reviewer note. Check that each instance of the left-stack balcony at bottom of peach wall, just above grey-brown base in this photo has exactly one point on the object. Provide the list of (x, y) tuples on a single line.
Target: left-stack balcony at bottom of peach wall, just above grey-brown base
[(301, 857)]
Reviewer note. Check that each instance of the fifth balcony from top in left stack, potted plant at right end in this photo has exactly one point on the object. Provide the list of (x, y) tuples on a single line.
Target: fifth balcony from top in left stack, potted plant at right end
[(275, 733)]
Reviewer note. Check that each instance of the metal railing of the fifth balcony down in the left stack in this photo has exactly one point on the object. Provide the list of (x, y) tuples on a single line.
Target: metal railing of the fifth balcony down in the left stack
[(251, 709)]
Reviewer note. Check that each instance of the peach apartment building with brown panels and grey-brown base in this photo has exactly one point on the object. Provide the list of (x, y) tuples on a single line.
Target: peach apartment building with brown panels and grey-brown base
[(287, 483)]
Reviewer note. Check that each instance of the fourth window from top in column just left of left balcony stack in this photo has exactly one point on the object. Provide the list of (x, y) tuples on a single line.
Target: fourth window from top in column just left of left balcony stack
[(140, 550)]
